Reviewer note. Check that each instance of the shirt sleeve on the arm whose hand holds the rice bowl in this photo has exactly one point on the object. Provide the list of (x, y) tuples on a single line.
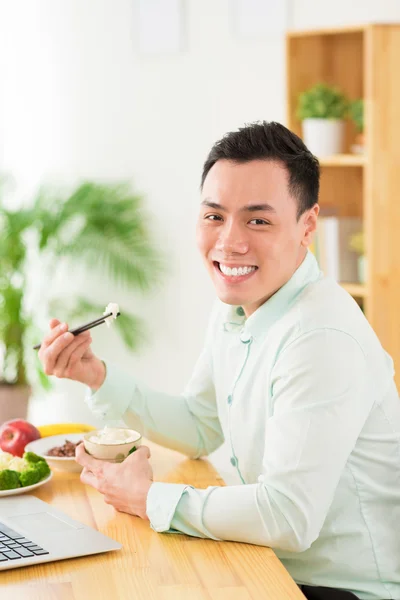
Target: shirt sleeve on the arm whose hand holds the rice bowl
[(321, 403)]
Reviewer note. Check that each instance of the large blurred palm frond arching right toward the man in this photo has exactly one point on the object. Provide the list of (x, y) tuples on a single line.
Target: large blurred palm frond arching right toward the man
[(105, 227)]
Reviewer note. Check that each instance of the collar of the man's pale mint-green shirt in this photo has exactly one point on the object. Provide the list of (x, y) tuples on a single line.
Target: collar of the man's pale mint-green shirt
[(269, 312)]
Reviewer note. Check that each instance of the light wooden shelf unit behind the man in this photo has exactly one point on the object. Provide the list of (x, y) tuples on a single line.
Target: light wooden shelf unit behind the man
[(363, 62)]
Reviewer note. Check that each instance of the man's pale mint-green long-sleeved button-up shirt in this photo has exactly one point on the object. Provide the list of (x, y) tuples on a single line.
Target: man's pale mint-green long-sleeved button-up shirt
[(304, 395)]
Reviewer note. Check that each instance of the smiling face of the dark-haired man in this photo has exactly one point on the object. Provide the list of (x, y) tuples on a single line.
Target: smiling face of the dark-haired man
[(248, 233)]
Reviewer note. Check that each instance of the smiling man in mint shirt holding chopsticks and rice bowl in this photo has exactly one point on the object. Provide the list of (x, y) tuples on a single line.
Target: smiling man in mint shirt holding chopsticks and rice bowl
[(291, 377)]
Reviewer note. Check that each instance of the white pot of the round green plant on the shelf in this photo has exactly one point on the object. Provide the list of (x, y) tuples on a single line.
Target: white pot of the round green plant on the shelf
[(324, 137)]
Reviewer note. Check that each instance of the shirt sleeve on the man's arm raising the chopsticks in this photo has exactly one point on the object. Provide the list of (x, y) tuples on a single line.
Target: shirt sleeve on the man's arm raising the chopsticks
[(187, 422)]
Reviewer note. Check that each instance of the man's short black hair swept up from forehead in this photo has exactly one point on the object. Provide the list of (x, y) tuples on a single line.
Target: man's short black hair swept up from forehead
[(271, 141)]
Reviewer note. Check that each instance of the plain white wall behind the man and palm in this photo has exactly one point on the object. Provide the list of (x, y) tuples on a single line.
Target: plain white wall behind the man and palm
[(79, 101)]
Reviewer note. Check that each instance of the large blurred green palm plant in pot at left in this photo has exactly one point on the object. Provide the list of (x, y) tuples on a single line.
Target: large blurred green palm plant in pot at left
[(101, 226)]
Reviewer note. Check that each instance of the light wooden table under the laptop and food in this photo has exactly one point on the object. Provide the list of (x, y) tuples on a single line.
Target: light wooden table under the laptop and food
[(150, 565)]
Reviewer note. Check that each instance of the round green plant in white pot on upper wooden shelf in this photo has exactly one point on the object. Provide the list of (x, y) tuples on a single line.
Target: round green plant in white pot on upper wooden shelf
[(322, 109)]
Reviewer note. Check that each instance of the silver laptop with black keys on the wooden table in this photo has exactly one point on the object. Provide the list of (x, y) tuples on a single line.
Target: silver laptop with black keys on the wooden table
[(33, 532)]
